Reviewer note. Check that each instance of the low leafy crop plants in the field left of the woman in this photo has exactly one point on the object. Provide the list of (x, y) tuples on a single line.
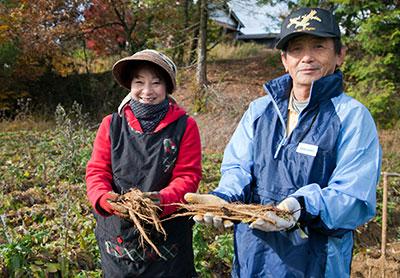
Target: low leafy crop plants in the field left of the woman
[(46, 229)]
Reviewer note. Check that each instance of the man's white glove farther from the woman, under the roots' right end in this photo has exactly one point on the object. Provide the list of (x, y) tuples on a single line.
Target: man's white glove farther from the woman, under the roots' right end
[(280, 224)]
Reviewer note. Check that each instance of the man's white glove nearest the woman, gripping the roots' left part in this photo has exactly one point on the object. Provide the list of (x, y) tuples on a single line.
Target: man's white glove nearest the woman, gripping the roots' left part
[(208, 218)]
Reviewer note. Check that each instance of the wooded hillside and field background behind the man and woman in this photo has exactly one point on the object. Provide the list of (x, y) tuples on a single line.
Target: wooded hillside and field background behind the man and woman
[(56, 85)]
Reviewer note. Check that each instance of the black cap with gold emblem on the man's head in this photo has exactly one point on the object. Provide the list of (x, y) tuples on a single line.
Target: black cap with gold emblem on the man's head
[(311, 21)]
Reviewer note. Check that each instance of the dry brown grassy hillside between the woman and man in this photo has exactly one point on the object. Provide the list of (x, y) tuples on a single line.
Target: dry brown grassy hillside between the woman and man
[(233, 84)]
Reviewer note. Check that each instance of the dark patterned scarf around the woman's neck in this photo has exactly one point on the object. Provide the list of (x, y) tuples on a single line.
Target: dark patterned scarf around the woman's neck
[(149, 115)]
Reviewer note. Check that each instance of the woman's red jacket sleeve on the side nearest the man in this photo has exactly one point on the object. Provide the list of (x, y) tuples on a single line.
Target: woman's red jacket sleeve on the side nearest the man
[(187, 171)]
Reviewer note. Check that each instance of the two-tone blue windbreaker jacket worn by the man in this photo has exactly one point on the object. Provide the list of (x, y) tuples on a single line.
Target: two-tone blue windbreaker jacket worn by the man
[(330, 163)]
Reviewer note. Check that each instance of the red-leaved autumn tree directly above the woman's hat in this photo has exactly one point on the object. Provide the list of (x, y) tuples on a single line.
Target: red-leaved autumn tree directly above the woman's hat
[(114, 26)]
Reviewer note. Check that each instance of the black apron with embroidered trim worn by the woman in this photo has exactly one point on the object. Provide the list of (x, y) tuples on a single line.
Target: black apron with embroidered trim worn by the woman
[(144, 161)]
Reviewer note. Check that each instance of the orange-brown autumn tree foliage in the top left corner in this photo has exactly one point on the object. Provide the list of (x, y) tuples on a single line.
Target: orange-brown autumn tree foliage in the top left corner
[(35, 37)]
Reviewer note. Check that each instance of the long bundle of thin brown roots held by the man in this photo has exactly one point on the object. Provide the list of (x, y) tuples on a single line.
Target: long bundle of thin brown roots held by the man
[(235, 212)]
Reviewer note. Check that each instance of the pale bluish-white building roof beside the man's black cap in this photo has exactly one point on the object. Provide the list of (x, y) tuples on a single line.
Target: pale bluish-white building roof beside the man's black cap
[(259, 19)]
